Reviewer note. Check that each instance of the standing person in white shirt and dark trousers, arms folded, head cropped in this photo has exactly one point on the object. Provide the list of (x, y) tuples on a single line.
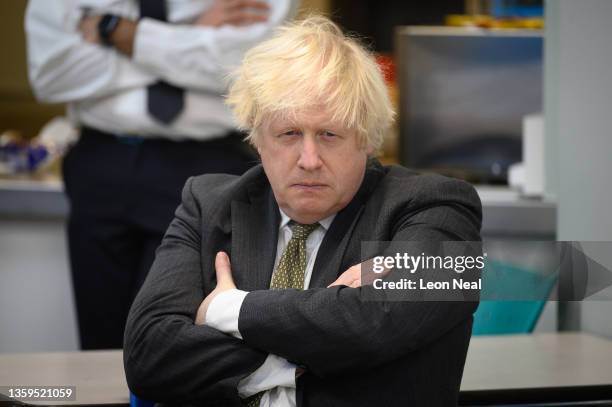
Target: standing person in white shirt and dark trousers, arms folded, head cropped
[(144, 81)]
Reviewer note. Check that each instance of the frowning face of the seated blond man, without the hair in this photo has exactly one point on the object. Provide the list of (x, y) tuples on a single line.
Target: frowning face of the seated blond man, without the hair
[(315, 166)]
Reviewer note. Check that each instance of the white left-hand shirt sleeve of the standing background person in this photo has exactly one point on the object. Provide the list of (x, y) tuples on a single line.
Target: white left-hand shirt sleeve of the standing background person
[(63, 67)]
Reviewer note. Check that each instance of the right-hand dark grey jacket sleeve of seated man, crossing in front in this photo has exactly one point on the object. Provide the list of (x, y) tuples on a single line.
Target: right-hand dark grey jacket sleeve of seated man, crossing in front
[(330, 330)]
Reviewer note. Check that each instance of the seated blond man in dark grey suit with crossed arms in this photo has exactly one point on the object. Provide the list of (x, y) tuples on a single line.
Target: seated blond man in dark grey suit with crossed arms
[(255, 297)]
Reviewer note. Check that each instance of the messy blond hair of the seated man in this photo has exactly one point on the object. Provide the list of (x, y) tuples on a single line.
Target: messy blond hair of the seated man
[(308, 63)]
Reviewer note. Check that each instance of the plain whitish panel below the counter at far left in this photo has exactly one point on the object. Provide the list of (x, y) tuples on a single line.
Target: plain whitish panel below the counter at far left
[(36, 302)]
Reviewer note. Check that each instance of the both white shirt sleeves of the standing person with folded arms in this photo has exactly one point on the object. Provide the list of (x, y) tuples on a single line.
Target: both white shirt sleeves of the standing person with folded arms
[(65, 68)]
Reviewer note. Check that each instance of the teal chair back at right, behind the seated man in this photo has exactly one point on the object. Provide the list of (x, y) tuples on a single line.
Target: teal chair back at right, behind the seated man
[(506, 281)]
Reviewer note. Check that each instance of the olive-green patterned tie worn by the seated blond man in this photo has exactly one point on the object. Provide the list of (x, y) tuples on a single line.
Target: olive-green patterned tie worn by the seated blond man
[(289, 274)]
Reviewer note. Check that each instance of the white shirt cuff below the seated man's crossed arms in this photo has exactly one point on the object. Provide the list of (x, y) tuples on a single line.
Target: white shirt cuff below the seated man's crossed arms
[(274, 372)]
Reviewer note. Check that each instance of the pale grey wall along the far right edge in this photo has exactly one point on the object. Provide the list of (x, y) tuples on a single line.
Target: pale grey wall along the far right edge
[(578, 109)]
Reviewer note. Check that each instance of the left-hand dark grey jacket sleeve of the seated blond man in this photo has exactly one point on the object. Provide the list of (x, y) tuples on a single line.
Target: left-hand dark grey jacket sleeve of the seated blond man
[(166, 356)]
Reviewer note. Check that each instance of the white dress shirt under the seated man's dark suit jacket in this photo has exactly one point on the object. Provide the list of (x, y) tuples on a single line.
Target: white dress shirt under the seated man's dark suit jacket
[(276, 376)]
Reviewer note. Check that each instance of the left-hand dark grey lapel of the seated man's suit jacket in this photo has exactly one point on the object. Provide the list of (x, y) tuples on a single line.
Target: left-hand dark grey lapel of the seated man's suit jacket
[(254, 240)]
